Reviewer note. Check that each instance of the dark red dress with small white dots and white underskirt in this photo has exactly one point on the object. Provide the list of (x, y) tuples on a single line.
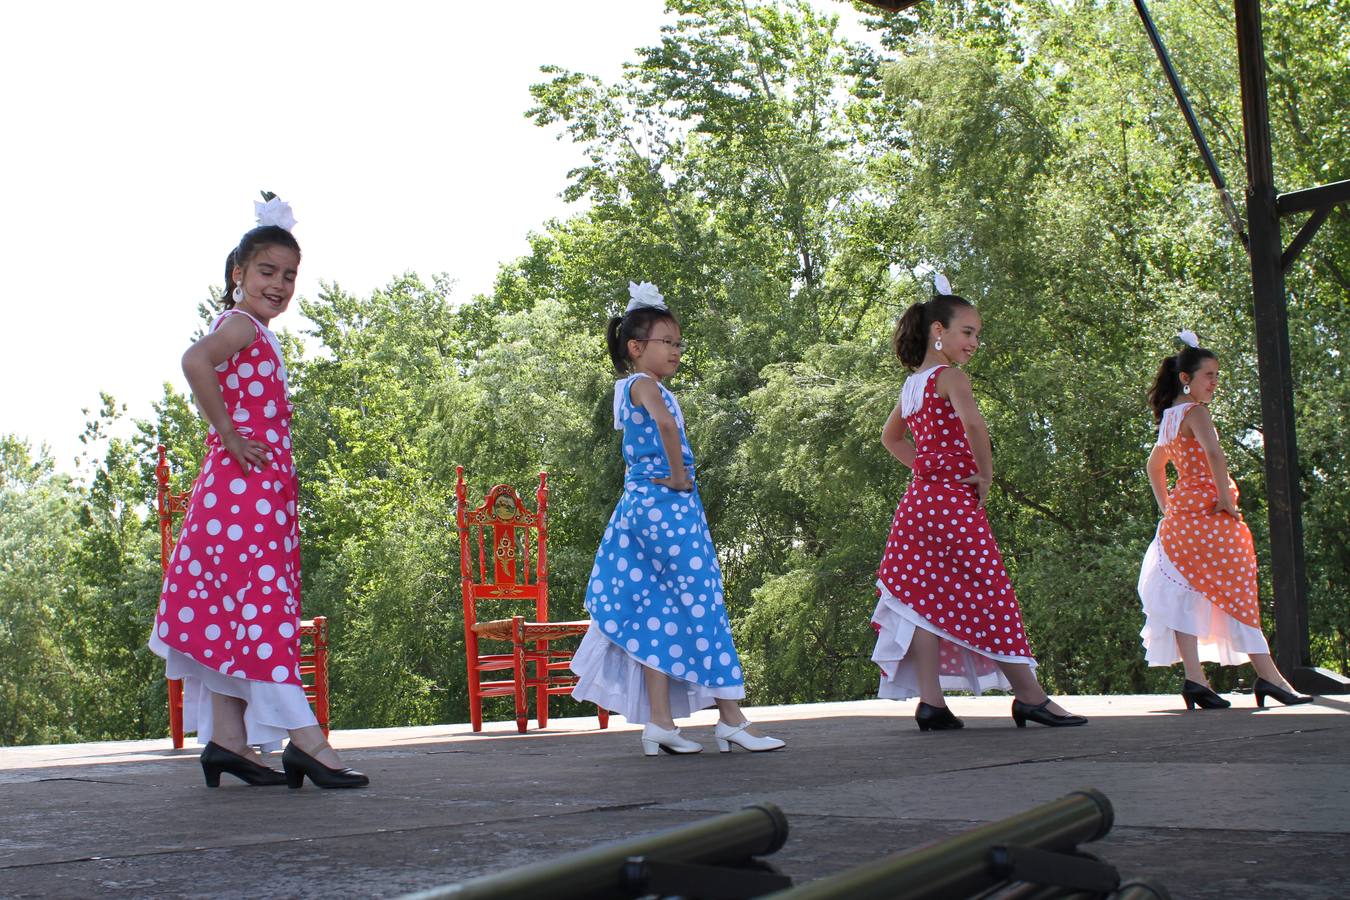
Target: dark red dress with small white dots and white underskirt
[(942, 570)]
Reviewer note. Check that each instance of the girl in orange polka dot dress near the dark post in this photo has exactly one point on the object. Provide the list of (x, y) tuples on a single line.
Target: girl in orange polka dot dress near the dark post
[(1199, 577)]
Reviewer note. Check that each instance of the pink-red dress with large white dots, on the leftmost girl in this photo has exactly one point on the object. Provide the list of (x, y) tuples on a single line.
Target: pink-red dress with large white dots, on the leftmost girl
[(229, 619)]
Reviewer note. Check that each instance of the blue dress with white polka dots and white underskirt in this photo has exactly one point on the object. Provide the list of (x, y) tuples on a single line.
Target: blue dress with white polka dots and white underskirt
[(655, 593)]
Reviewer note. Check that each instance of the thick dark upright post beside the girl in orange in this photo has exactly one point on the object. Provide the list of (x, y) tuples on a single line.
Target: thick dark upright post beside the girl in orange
[(1272, 337)]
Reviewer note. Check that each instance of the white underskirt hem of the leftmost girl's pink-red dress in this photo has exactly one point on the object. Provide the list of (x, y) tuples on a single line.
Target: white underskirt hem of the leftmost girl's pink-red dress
[(272, 710)]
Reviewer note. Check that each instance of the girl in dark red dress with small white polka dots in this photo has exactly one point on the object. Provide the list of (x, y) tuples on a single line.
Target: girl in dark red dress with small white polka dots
[(947, 617)]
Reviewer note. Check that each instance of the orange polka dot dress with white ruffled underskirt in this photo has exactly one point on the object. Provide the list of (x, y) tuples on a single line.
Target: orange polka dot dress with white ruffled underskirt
[(1199, 577)]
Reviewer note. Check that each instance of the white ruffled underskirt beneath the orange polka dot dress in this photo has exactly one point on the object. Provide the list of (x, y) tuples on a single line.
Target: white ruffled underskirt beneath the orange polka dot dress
[(1172, 607)]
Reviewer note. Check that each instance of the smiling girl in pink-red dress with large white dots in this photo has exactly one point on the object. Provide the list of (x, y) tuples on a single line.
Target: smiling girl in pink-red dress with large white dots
[(230, 609)]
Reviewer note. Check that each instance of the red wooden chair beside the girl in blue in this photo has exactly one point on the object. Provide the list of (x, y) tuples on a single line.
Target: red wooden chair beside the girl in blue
[(504, 523)]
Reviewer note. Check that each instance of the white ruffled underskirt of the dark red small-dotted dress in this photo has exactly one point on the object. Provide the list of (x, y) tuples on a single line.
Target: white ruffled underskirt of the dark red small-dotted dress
[(900, 682)]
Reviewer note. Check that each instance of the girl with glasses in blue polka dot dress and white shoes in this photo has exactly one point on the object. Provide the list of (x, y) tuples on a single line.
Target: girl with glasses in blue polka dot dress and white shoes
[(659, 646)]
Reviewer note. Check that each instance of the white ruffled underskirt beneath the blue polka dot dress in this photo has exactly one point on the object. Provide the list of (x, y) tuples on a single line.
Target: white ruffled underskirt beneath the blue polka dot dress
[(611, 678)]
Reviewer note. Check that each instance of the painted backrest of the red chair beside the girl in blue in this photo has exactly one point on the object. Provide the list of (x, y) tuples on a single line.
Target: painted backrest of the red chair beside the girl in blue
[(503, 549)]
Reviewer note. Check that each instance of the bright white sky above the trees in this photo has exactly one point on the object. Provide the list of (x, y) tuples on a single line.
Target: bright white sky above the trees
[(137, 137)]
